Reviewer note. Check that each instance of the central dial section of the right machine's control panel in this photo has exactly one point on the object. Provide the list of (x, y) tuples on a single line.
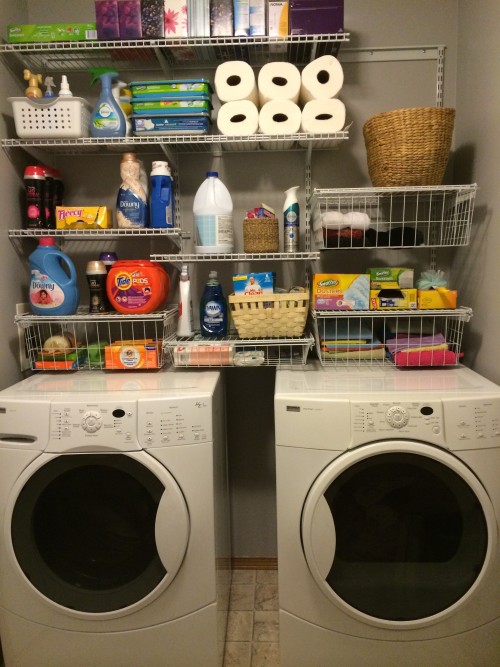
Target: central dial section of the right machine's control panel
[(410, 420)]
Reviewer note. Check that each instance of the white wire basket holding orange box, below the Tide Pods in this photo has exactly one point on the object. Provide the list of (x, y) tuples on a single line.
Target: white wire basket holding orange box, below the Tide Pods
[(109, 341)]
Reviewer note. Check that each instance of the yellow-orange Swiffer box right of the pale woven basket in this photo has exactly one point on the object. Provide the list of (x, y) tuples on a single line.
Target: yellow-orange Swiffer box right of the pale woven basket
[(341, 291)]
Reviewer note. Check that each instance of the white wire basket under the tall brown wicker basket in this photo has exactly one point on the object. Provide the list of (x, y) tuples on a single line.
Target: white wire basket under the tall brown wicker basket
[(411, 217)]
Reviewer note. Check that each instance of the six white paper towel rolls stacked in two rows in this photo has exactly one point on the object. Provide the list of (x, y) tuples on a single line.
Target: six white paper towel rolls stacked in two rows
[(281, 100)]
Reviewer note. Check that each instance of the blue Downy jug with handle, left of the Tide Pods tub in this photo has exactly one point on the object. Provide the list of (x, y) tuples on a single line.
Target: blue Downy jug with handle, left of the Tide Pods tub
[(53, 284)]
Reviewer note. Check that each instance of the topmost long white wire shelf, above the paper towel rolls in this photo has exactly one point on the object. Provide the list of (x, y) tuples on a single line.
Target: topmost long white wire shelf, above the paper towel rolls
[(164, 54)]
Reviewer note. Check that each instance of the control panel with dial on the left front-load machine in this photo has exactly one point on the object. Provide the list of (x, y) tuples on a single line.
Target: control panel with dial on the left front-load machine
[(128, 425)]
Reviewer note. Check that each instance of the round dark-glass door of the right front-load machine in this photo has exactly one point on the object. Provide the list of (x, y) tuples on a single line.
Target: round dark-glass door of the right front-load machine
[(398, 532)]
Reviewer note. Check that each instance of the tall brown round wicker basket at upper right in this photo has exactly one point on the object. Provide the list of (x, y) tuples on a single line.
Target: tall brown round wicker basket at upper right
[(409, 146)]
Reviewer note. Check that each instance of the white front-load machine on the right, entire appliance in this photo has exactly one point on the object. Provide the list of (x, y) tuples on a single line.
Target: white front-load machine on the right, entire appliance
[(388, 511)]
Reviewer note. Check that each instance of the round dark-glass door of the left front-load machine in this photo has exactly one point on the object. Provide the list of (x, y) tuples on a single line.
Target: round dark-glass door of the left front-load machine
[(99, 533)]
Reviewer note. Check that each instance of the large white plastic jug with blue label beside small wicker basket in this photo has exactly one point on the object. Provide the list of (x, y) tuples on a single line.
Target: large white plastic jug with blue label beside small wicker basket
[(213, 216)]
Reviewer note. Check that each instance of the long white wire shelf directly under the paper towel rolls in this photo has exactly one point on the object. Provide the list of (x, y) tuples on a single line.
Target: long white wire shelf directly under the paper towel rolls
[(183, 143)]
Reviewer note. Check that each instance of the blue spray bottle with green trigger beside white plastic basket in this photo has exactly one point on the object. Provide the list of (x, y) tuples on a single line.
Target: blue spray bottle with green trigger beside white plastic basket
[(107, 118)]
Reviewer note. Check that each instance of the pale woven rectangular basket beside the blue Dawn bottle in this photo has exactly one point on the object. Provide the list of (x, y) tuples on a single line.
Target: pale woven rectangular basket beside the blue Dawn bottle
[(269, 315)]
